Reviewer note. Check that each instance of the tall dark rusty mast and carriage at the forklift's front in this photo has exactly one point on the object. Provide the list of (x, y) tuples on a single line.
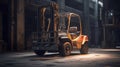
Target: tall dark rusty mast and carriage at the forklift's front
[(47, 34)]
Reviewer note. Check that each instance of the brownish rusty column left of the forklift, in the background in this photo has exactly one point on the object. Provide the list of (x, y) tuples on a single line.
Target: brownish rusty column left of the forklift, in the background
[(20, 25)]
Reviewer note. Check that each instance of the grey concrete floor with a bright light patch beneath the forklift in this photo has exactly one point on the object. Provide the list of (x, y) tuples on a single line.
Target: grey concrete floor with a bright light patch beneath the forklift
[(95, 58)]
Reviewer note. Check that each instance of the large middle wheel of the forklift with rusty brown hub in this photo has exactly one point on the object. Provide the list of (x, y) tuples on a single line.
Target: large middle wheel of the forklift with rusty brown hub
[(65, 49)]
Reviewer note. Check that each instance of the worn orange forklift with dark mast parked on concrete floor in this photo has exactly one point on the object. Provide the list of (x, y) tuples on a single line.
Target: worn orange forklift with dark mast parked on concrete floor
[(58, 32)]
